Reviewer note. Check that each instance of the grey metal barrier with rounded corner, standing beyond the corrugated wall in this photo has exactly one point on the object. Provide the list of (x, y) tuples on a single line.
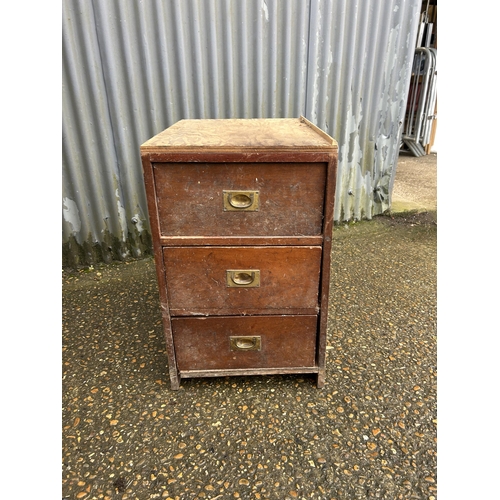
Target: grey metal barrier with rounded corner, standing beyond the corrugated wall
[(421, 104)]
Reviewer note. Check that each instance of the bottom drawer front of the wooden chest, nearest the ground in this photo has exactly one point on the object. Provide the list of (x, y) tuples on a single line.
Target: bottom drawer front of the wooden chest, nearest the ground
[(217, 343)]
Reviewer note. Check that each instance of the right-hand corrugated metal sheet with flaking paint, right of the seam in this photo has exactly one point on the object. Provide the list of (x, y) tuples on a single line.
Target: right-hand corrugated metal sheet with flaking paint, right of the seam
[(361, 54)]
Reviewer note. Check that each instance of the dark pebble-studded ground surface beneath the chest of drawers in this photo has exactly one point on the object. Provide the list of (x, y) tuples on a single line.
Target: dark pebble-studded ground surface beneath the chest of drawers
[(369, 433)]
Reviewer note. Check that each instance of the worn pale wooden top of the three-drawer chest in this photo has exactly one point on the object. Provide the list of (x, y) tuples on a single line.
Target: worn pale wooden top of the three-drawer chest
[(236, 134)]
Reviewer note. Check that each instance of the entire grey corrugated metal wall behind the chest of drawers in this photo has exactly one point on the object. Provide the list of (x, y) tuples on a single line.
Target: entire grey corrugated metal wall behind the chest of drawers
[(131, 68)]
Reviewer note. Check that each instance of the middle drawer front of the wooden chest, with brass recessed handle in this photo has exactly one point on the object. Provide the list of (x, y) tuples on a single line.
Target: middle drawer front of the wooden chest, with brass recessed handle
[(242, 280)]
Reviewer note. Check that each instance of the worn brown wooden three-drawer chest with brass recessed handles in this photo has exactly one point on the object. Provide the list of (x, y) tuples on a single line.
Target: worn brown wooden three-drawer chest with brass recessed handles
[(241, 216)]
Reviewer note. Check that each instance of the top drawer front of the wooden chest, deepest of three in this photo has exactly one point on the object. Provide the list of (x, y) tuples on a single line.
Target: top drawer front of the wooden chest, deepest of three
[(240, 199)]
